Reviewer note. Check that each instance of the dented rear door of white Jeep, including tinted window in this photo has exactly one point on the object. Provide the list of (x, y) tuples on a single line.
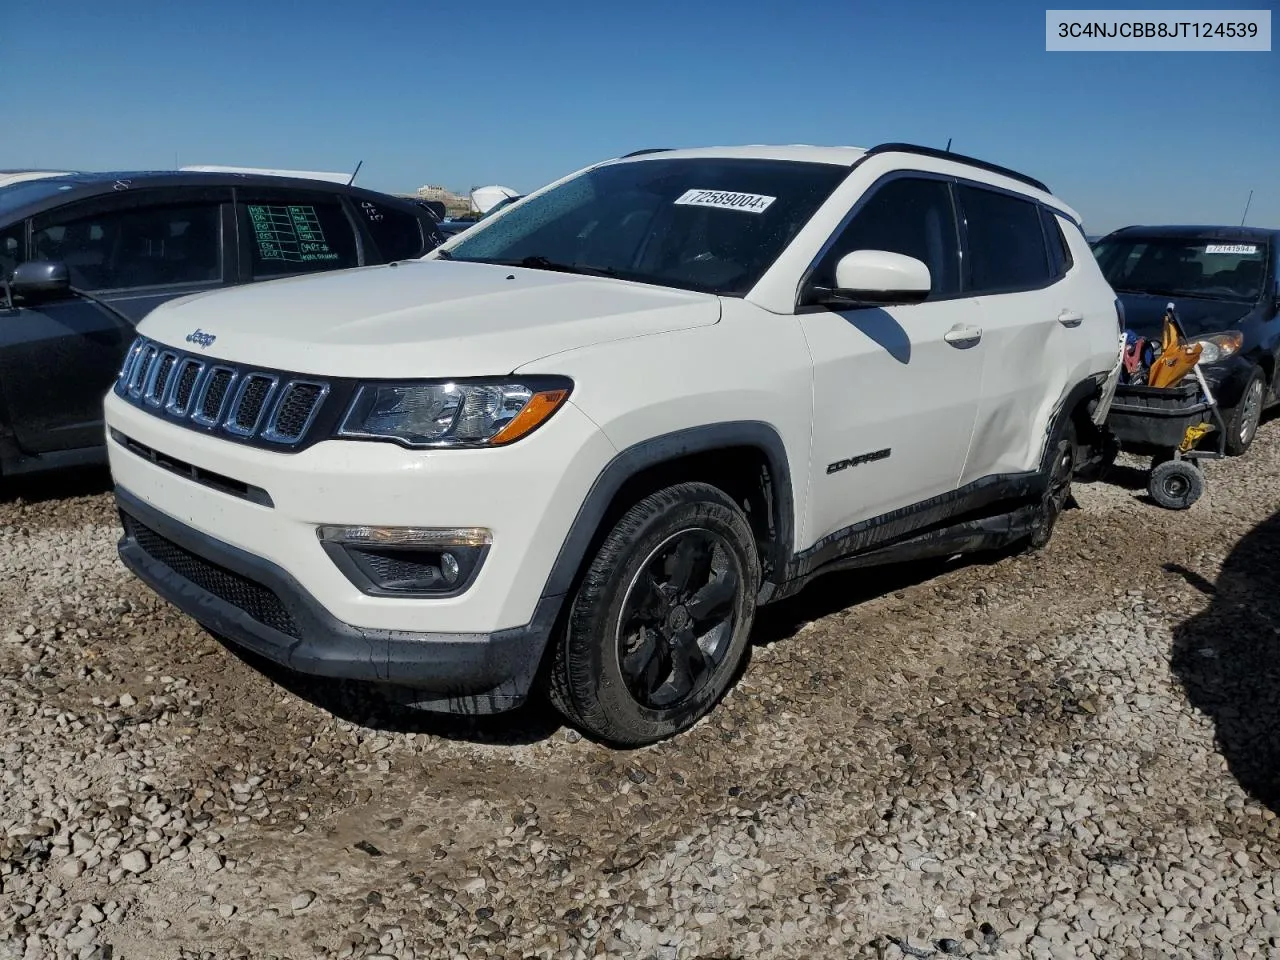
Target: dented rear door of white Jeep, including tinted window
[(1034, 331)]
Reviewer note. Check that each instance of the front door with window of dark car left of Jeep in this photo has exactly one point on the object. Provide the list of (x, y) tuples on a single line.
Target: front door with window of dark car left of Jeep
[(132, 250)]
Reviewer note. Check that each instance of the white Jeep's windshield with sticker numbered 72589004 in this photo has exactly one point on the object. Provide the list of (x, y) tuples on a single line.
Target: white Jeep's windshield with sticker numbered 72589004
[(702, 225)]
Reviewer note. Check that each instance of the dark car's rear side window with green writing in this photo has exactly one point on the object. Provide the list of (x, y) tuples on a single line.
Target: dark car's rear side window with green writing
[(286, 232)]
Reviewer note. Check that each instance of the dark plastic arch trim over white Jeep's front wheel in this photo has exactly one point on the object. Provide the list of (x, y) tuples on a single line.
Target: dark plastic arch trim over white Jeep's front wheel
[(747, 459)]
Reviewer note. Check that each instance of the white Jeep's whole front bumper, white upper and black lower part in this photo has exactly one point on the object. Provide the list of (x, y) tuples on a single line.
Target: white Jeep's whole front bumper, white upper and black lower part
[(228, 534)]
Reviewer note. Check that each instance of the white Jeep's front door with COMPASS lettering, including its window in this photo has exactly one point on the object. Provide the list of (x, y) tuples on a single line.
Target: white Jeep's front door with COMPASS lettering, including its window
[(895, 390)]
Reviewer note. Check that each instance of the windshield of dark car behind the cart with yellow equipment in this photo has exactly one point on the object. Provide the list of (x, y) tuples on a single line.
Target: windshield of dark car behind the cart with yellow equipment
[(1185, 267)]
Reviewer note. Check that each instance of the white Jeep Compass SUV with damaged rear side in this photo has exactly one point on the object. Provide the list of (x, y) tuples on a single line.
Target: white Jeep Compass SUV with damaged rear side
[(574, 449)]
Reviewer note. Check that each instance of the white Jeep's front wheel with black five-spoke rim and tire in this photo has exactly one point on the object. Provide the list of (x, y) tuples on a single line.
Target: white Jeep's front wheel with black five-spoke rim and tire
[(633, 668)]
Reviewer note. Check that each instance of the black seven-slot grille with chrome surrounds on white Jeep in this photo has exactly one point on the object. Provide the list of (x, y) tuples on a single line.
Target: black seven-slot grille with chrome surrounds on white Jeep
[(240, 404)]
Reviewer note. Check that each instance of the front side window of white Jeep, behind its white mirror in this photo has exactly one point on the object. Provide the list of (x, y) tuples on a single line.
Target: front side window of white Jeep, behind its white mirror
[(908, 216)]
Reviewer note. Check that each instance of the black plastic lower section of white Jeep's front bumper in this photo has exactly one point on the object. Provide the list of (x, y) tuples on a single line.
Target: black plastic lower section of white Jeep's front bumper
[(259, 606)]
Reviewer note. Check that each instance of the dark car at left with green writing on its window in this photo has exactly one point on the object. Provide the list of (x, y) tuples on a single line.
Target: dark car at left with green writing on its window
[(84, 258)]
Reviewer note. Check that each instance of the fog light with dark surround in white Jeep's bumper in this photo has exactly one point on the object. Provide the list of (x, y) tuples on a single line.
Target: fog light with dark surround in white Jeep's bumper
[(408, 561)]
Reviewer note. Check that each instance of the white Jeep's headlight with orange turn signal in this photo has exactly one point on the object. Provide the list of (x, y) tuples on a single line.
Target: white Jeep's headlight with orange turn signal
[(468, 414)]
